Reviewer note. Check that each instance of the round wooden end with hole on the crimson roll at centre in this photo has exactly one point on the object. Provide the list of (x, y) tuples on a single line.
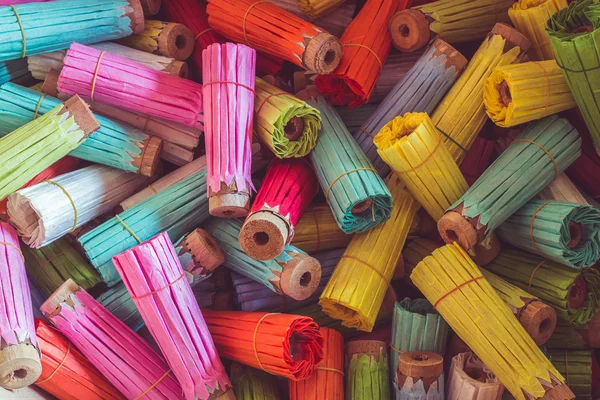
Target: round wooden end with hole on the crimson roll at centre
[(264, 235)]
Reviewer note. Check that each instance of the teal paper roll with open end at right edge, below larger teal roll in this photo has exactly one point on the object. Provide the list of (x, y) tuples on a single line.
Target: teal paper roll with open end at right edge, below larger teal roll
[(567, 233)]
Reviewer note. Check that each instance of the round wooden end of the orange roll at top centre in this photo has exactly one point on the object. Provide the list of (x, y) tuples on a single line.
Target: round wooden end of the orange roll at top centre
[(323, 53)]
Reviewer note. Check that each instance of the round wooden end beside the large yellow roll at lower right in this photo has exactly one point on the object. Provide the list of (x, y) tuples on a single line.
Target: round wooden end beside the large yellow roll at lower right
[(539, 320)]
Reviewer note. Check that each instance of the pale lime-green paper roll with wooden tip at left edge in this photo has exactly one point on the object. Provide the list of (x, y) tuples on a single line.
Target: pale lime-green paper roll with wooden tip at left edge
[(35, 146)]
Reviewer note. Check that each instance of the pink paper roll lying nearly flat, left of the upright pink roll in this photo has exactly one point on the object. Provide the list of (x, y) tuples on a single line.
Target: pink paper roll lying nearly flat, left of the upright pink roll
[(121, 82)]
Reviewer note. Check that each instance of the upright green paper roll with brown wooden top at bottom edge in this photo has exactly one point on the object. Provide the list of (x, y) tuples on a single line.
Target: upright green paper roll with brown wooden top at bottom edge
[(367, 375)]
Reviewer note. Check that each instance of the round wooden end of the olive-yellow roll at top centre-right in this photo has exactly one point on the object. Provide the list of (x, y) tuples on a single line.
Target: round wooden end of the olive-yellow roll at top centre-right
[(409, 30)]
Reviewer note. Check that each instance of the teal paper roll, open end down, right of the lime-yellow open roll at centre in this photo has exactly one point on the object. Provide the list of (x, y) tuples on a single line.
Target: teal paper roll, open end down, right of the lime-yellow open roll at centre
[(357, 196)]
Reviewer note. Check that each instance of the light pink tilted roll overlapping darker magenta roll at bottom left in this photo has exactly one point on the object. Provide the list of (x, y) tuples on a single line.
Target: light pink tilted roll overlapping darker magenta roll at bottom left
[(153, 275)]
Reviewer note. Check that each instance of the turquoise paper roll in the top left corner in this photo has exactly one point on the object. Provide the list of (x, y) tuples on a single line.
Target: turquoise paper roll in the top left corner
[(40, 28)]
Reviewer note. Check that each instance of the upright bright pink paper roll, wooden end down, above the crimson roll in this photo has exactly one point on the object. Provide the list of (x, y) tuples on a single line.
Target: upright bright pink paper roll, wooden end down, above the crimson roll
[(228, 74)]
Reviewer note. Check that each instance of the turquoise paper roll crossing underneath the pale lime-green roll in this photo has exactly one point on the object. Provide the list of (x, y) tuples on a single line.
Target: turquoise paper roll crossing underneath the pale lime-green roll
[(114, 144)]
